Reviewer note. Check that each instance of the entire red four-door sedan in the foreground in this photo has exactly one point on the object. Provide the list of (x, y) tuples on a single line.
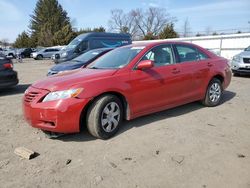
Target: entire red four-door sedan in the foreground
[(126, 83)]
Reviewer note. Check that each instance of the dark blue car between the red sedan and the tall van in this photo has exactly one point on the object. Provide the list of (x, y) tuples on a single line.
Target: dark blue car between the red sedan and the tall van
[(79, 61)]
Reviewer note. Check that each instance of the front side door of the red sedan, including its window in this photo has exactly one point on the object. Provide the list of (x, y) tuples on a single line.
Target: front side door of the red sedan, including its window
[(158, 87)]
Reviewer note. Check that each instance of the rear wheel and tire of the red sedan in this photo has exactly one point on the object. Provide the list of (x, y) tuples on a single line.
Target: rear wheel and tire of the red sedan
[(213, 93)]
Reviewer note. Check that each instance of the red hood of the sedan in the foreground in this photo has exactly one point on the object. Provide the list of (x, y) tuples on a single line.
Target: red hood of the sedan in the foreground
[(70, 79)]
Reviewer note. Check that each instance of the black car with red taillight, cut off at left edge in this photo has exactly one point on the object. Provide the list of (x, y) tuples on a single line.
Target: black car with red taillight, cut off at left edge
[(8, 77)]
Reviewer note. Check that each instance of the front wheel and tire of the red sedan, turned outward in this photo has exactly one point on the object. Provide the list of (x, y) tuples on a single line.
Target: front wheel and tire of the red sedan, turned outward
[(104, 116)]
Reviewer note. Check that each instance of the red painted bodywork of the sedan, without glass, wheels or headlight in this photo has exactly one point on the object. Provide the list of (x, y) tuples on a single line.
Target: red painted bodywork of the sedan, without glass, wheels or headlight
[(146, 91)]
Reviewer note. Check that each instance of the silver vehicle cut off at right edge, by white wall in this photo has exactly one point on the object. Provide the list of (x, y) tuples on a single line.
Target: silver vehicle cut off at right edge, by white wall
[(240, 63)]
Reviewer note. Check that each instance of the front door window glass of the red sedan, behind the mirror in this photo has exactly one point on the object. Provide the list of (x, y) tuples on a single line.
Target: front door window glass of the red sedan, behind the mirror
[(161, 55)]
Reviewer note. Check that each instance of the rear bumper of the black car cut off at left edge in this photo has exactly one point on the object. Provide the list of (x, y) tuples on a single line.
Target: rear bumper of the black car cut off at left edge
[(8, 78)]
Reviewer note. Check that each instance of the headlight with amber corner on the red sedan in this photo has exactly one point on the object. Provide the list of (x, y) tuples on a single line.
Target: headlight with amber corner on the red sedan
[(62, 94)]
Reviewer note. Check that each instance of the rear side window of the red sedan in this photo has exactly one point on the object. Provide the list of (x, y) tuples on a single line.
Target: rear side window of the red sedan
[(188, 53)]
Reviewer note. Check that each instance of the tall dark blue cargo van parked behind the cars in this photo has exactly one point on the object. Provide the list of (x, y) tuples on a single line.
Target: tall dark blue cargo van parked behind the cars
[(88, 41)]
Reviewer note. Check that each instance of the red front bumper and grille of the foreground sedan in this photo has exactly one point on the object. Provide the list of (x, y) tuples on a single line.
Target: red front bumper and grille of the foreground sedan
[(59, 116)]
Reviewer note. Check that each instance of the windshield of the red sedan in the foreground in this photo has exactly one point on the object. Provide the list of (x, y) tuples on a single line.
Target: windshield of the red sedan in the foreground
[(116, 59)]
